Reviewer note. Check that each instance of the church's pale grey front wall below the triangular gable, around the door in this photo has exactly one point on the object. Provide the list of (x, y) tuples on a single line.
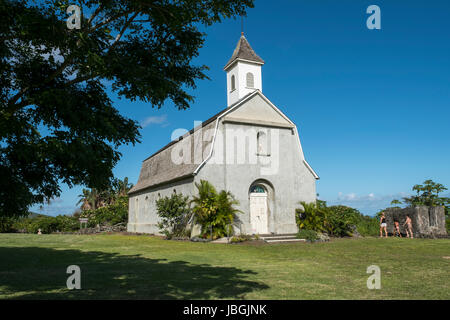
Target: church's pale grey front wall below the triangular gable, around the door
[(282, 167)]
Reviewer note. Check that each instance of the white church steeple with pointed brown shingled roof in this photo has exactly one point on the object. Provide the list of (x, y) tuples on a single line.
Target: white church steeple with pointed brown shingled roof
[(243, 71)]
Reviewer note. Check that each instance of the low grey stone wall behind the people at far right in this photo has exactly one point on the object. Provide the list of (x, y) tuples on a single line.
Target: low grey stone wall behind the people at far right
[(427, 222)]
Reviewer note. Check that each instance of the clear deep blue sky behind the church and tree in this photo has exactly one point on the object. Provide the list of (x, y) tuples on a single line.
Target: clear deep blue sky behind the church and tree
[(372, 106)]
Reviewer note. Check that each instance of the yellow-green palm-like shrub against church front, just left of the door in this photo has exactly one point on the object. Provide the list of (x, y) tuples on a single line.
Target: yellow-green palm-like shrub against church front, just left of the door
[(214, 211)]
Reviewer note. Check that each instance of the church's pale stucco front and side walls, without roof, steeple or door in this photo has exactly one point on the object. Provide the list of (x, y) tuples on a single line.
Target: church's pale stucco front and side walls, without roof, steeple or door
[(283, 172)]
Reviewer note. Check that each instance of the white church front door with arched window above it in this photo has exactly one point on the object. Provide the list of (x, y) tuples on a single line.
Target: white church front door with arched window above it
[(259, 209)]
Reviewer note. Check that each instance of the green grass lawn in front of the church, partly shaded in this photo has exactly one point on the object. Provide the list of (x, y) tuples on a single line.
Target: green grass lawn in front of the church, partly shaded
[(144, 267)]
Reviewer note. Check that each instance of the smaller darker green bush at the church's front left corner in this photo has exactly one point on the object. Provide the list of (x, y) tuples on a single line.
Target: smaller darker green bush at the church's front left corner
[(175, 213)]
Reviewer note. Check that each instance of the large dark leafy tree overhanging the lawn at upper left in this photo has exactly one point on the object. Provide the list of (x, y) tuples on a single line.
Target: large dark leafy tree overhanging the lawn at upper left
[(57, 121)]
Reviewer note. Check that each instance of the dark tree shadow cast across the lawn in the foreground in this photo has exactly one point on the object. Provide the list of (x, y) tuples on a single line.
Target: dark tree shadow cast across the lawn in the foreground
[(40, 273)]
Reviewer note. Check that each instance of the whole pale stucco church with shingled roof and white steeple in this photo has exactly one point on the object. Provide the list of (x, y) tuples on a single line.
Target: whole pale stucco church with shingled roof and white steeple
[(250, 148)]
